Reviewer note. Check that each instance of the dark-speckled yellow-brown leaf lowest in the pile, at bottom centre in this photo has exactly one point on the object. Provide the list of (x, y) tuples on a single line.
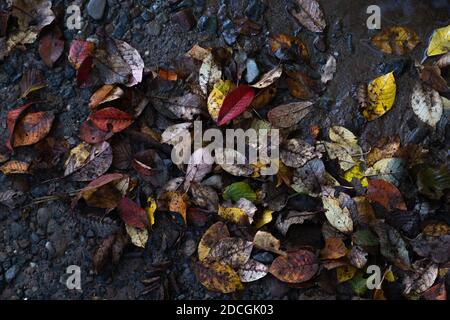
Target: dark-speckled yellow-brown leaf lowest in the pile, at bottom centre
[(218, 277)]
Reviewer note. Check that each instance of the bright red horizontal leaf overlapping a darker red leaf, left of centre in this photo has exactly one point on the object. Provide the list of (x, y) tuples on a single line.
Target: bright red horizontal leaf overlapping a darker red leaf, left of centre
[(111, 119)]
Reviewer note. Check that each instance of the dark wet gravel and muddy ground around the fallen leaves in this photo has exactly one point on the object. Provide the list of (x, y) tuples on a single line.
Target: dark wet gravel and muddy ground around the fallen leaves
[(40, 240)]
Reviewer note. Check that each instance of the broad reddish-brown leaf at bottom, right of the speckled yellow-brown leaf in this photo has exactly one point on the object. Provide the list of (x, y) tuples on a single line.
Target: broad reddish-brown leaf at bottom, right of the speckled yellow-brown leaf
[(298, 266)]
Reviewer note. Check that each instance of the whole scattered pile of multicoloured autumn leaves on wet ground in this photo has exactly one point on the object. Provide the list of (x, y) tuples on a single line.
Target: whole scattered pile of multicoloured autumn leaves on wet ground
[(349, 200)]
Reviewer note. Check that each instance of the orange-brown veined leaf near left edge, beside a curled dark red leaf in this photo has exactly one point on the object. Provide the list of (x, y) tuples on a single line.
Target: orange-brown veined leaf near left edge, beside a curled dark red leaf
[(32, 128)]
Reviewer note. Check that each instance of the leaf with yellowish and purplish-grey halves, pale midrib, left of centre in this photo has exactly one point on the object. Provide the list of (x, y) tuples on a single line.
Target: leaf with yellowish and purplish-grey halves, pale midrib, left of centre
[(88, 162)]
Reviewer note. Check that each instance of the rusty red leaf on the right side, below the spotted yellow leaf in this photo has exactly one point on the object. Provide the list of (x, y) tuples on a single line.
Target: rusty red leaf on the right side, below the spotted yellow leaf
[(386, 194)]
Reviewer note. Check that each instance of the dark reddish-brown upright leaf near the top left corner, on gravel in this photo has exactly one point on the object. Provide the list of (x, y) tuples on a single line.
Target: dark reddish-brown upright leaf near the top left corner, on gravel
[(51, 46)]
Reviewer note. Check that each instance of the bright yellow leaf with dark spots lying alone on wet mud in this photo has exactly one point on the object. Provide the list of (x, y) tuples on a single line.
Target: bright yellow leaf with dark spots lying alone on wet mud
[(380, 96)]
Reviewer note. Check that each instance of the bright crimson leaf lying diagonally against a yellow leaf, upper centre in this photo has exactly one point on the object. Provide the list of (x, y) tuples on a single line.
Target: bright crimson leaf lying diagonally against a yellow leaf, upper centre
[(235, 103)]
